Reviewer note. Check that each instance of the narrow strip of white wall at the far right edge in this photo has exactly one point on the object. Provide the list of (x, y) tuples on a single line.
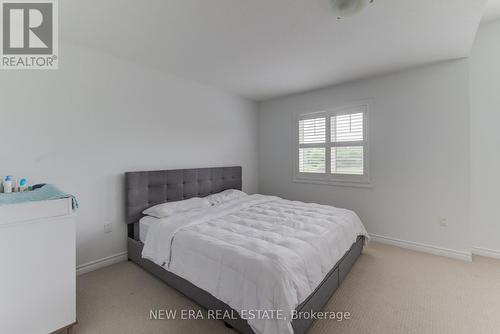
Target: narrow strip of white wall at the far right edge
[(485, 139)]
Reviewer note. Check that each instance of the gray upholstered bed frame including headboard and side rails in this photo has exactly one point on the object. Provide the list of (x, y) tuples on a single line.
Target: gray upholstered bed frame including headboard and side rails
[(145, 189)]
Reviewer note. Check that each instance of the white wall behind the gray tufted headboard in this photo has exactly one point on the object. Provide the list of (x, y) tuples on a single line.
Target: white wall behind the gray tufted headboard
[(82, 126)]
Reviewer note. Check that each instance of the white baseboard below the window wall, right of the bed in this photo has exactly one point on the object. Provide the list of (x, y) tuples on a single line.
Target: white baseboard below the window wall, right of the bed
[(419, 247)]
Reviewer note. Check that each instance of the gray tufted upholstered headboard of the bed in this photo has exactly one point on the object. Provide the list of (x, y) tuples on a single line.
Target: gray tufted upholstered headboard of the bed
[(145, 189)]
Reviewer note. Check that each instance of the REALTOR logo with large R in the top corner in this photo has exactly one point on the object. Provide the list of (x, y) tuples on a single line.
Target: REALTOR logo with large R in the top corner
[(29, 36)]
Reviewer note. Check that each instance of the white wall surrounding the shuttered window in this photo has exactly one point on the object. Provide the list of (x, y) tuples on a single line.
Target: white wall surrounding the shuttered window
[(419, 146)]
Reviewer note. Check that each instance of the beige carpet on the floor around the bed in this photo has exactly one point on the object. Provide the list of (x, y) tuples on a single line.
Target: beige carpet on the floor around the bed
[(389, 290)]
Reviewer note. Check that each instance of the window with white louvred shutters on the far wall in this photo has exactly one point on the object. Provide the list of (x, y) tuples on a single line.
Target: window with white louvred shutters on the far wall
[(333, 146)]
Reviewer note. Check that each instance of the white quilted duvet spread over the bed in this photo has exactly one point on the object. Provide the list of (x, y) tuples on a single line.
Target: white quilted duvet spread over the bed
[(256, 252)]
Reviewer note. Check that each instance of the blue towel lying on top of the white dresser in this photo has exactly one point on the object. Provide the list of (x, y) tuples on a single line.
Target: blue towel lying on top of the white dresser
[(43, 193)]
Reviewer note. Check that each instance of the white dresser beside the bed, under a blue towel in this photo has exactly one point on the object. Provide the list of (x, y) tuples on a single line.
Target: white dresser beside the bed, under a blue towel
[(37, 267)]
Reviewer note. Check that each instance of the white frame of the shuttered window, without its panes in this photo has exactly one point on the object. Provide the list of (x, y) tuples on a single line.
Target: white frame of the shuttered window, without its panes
[(348, 180)]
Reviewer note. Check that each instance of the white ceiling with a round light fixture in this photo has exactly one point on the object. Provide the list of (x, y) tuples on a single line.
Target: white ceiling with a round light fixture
[(261, 49)]
